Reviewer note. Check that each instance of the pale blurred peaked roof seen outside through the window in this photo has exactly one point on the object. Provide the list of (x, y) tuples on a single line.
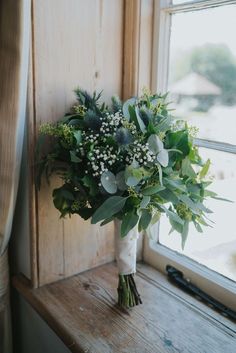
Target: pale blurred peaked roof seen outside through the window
[(193, 85)]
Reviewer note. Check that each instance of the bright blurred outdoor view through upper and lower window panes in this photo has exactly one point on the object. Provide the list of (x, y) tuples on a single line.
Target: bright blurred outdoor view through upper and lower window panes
[(202, 83)]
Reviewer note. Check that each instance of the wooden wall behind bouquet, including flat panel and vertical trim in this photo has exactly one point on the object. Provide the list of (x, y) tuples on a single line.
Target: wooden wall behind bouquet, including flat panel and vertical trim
[(77, 42)]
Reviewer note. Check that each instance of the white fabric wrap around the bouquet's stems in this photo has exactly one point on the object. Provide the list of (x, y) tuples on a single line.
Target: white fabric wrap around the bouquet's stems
[(125, 249)]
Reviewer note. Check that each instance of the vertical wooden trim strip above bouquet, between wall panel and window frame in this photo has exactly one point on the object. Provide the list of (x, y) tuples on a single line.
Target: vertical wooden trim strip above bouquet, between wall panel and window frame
[(138, 38)]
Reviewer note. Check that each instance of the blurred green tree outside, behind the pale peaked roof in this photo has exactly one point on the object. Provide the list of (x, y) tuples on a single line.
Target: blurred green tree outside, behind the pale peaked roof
[(213, 61)]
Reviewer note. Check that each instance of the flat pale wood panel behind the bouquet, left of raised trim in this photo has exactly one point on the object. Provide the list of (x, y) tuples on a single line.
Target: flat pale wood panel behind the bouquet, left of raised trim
[(76, 42)]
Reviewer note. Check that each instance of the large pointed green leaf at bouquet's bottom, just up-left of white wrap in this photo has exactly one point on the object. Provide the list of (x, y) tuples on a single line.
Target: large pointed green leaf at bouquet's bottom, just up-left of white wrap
[(109, 208)]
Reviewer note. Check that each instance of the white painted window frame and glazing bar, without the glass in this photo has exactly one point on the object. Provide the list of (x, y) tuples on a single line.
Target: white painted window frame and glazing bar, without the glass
[(155, 254)]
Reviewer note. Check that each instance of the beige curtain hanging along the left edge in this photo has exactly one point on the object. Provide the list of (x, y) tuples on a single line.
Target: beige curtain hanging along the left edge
[(14, 53)]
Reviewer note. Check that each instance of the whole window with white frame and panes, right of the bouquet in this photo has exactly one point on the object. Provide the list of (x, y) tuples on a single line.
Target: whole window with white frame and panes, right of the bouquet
[(195, 60)]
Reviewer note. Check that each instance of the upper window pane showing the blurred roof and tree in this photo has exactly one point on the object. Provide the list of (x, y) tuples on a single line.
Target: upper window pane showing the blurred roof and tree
[(202, 71)]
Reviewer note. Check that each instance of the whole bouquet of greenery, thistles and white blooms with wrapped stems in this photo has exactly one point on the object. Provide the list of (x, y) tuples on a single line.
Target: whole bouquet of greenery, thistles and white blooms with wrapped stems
[(128, 162)]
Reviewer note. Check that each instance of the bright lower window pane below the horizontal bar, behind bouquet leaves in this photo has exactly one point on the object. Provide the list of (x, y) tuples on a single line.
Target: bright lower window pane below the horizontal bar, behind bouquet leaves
[(215, 247)]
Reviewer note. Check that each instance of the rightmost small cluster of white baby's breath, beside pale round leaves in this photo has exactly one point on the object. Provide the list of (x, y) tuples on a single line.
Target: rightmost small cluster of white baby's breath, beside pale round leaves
[(140, 153)]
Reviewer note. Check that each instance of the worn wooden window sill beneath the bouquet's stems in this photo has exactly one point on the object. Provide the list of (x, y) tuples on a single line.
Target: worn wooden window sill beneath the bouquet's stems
[(82, 311)]
